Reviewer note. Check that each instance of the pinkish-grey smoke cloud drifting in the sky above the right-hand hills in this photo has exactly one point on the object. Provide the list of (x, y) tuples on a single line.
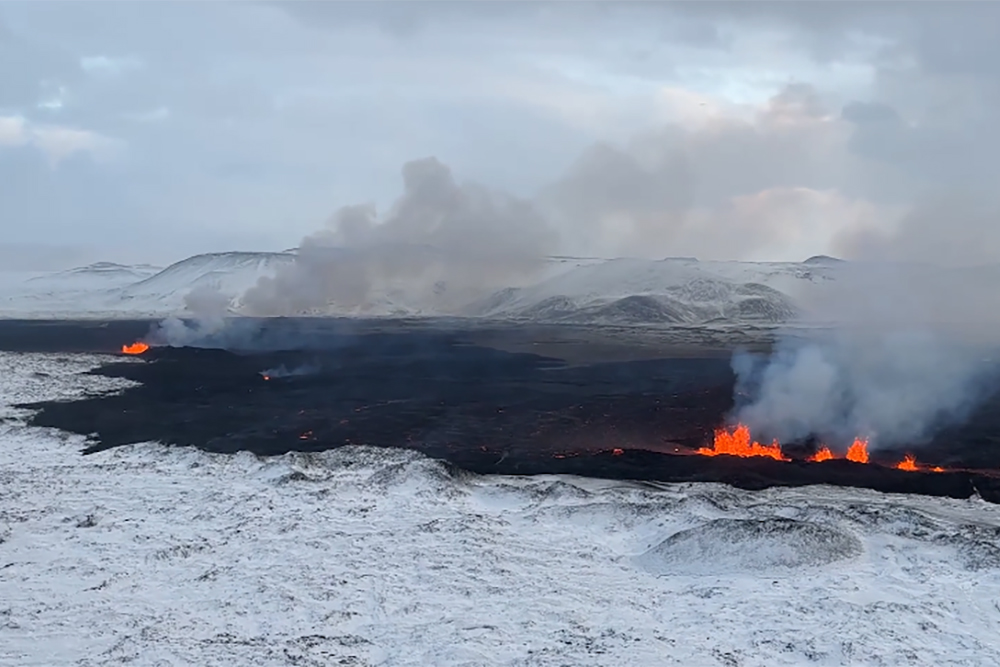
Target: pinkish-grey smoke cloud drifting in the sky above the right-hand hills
[(728, 188)]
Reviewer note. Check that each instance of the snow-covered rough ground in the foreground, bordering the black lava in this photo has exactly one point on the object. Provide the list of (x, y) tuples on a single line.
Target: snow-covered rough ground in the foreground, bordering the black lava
[(147, 555)]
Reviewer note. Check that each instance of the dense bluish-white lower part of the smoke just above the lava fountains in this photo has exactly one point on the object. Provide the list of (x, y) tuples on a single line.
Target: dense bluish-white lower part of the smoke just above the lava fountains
[(893, 387)]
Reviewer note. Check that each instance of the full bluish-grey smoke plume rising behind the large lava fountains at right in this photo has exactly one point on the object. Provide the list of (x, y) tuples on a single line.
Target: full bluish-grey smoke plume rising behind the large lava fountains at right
[(899, 357)]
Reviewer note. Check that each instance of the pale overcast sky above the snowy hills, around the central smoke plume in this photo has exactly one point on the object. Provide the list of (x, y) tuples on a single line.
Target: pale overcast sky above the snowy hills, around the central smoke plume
[(148, 131)]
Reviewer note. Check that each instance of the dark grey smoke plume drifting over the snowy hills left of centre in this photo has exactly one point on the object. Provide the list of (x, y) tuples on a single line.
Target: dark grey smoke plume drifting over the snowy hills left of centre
[(441, 242)]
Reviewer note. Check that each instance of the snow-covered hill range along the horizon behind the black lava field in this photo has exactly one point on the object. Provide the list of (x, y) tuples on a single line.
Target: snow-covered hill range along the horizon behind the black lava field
[(671, 291)]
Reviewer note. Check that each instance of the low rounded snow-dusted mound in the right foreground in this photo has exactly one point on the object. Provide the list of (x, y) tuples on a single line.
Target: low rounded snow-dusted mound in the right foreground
[(734, 546)]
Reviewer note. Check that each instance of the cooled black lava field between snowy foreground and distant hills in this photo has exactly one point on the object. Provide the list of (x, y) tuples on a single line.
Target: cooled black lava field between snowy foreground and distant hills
[(482, 409)]
